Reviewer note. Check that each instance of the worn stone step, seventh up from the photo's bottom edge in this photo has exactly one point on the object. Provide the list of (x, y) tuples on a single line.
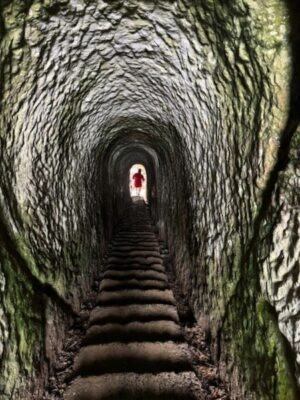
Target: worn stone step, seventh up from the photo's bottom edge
[(135, 274)]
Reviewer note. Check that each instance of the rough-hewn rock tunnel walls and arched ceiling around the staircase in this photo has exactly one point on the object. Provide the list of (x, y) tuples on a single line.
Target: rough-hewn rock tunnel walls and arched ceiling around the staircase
[(205, 95)]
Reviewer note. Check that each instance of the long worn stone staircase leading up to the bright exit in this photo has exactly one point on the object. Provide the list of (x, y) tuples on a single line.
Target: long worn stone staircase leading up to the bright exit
[(134, 348)]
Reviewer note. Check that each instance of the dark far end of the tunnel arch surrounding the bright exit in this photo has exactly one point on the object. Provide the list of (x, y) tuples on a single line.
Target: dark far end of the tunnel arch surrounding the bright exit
[(155, 147)]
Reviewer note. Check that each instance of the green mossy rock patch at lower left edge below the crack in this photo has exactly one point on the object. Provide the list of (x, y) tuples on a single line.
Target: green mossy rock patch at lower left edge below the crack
[(23, 308)]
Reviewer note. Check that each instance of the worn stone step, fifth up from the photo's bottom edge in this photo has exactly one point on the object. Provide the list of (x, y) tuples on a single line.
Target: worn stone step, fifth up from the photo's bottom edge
[(135, 296)]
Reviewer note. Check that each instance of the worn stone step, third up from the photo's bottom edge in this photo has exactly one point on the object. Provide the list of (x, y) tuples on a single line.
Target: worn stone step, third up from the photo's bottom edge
[(134, 332)]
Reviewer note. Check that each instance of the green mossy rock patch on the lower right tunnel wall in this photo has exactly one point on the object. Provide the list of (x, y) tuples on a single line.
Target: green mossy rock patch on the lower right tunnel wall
[(256, 345)]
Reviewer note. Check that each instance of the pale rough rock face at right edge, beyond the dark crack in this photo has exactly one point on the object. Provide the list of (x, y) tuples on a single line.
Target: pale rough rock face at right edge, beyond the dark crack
[(281, 252)]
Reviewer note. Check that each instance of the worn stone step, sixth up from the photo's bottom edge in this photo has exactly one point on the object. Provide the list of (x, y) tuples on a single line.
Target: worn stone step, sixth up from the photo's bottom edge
[(114, 284)]
